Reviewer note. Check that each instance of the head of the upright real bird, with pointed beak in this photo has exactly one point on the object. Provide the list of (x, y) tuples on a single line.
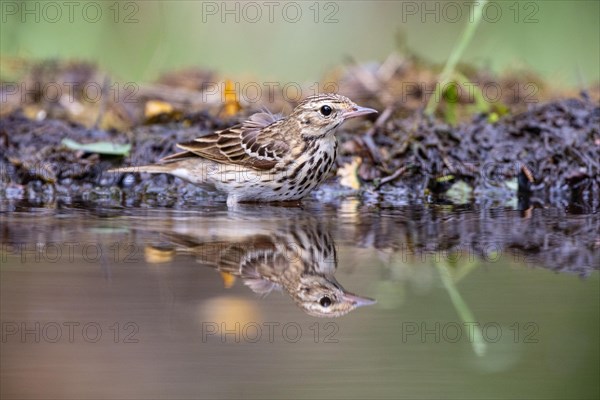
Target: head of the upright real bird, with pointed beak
[(319, 115)]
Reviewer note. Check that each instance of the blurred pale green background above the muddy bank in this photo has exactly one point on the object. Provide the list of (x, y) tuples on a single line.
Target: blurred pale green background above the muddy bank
[(138, 40)]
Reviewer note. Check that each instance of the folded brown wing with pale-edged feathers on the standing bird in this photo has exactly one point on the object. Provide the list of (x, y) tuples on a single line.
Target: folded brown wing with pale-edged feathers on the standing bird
[(256, 143)]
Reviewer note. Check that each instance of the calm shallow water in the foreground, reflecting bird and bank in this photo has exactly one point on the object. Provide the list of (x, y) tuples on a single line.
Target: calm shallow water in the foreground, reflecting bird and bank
[(471, 303)]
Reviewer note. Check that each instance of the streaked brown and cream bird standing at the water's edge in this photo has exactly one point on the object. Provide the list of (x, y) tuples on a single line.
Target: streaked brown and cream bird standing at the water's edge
[(268, 157)]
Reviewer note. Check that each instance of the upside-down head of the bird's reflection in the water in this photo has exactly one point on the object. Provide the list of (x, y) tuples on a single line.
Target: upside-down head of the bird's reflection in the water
[(322, 296)]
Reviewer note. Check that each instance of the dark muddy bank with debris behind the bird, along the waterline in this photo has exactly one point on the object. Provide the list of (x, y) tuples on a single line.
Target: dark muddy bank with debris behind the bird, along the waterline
[(541, 153)]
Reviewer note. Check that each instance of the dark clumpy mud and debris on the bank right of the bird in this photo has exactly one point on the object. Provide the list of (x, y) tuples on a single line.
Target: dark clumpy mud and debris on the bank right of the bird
[(552, 150)]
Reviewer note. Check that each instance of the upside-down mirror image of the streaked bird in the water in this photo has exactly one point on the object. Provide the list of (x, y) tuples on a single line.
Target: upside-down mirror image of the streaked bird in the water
[(298, 258)]
